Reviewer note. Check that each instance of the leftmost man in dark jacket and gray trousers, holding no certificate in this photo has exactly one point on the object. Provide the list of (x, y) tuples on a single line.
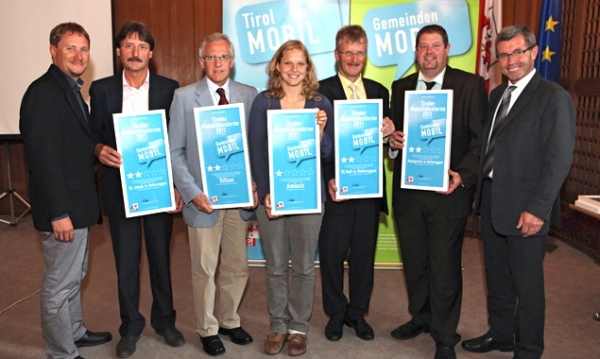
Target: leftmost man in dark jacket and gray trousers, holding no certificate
[(62, 186)]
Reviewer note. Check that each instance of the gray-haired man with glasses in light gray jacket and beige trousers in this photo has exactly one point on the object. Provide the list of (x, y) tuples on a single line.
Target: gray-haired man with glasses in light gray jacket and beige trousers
[(211, 230)]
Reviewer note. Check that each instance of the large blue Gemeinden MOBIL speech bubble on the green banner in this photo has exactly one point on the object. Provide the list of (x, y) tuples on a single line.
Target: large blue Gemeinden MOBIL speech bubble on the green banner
[(392, 30)]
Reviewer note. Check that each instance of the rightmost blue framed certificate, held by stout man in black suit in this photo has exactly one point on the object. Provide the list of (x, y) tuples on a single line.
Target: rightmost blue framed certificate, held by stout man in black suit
[(428, 134)]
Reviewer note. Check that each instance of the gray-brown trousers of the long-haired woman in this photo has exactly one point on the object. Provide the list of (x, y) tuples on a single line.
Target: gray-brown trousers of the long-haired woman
[(292, 237)]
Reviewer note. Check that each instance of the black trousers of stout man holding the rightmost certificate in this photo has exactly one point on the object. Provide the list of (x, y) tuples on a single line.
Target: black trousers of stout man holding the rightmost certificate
[(431, 246)]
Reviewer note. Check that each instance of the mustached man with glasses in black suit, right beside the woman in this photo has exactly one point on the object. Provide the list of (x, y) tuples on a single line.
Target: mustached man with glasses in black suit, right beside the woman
[(349, 228)]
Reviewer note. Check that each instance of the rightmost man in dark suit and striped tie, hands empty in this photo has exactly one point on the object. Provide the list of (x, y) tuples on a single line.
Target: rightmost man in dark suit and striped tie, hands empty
[(526, 155)]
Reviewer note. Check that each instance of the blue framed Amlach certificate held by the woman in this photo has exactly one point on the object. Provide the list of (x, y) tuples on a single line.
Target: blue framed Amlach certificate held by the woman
[(294, 161)]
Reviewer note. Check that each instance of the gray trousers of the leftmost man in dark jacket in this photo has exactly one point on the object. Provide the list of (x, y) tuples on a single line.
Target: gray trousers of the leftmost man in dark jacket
[(62, 318)]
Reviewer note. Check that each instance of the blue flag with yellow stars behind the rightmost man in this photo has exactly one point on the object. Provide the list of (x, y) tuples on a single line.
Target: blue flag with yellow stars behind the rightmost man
[(547, 62)]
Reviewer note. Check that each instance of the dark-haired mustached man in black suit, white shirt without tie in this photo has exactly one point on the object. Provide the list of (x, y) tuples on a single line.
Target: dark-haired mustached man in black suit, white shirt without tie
[(134, 90)]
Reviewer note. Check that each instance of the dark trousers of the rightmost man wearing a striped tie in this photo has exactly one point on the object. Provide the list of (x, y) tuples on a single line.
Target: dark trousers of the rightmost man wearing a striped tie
[(515, 282)]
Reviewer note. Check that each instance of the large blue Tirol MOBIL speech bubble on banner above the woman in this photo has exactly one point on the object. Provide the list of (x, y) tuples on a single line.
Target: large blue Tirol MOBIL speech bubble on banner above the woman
[(262, 28)]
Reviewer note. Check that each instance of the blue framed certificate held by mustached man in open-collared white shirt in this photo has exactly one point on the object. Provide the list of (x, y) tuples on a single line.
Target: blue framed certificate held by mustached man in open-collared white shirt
[(146, 173)]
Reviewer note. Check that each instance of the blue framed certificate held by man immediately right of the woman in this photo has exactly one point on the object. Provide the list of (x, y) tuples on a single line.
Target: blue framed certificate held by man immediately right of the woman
[(358, 148)]
